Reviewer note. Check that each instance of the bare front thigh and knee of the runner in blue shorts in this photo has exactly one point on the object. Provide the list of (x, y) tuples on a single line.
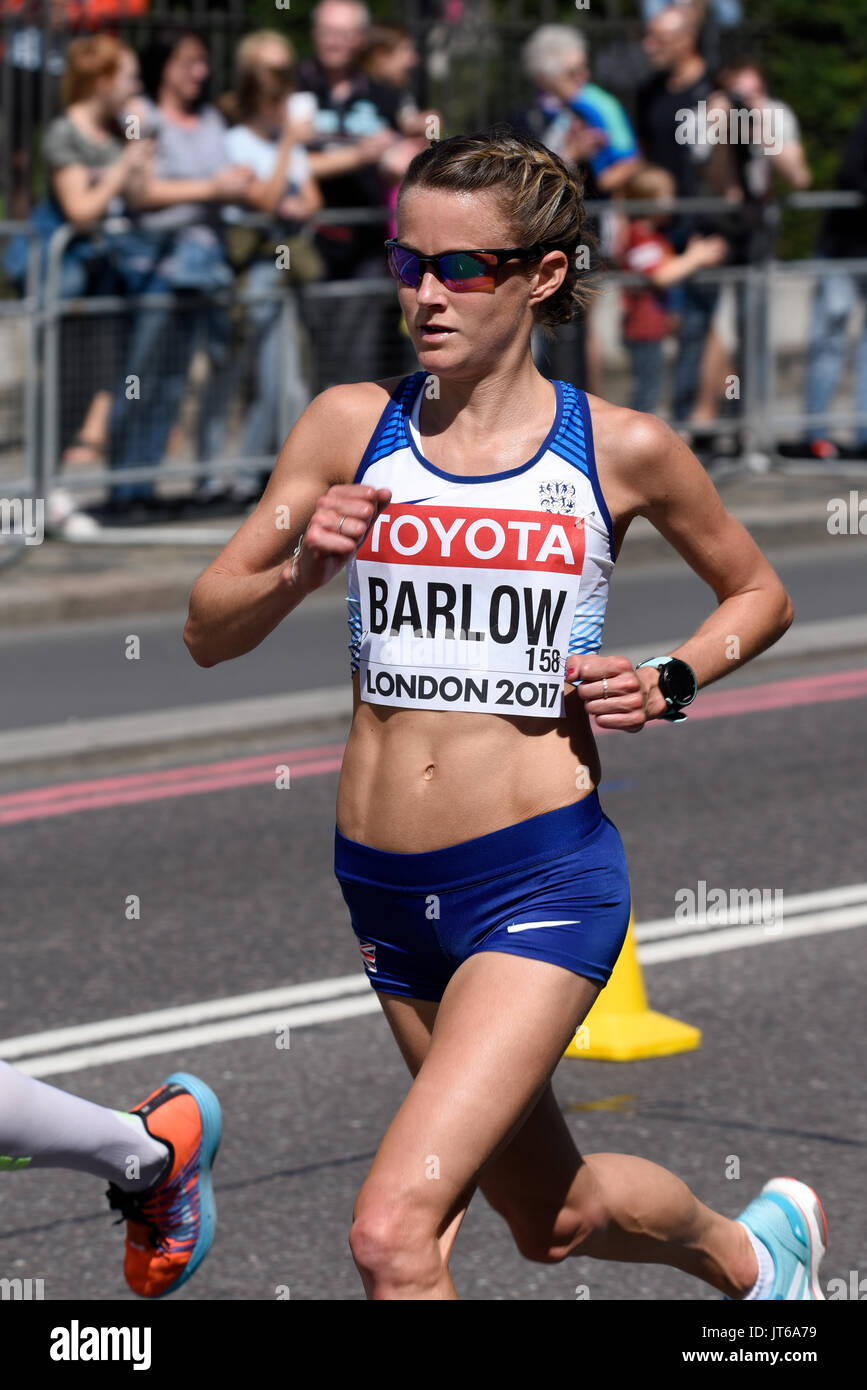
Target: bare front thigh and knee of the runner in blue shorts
[(501, 1031)]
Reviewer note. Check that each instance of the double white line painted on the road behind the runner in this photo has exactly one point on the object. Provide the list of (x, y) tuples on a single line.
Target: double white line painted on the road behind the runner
[(327, 1001)]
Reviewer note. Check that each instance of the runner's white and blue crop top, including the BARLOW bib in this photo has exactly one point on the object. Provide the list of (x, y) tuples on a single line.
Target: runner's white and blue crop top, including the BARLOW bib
[(469, 593)]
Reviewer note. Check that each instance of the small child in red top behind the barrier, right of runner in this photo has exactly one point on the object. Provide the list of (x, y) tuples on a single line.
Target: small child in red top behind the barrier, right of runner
[(645, 251)]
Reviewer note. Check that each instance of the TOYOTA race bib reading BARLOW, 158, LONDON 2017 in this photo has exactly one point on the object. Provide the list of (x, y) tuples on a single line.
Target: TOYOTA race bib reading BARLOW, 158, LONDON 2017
[(466, 608)]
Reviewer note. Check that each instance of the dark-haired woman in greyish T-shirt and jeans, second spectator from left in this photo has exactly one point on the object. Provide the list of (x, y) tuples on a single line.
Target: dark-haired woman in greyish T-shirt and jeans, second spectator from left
[(177, 247)]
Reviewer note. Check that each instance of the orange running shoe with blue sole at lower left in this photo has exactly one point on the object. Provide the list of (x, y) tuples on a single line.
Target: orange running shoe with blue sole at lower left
[(170, 1227)]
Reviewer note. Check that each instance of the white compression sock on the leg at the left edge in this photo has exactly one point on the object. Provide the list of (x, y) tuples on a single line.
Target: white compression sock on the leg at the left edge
[(45, 1128)]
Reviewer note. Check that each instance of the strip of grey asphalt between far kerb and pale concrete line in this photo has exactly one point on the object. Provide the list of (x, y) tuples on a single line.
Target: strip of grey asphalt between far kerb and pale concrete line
[(80, 671)]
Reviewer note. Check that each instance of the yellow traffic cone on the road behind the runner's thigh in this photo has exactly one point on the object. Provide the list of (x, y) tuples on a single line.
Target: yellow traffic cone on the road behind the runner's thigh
[(620, 1028)]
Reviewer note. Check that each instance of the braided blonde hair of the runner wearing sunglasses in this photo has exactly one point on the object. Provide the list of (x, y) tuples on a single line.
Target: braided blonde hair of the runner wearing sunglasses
[(540, 198)]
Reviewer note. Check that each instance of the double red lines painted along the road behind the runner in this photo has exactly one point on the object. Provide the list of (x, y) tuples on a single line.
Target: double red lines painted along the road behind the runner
[(67, 799)]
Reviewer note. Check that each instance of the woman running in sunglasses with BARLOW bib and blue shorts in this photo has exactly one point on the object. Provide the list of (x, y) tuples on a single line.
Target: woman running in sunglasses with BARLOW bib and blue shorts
[(480, 508)]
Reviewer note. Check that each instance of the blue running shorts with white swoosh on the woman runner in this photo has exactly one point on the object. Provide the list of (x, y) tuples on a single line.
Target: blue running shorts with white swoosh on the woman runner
[(554, 888)]
